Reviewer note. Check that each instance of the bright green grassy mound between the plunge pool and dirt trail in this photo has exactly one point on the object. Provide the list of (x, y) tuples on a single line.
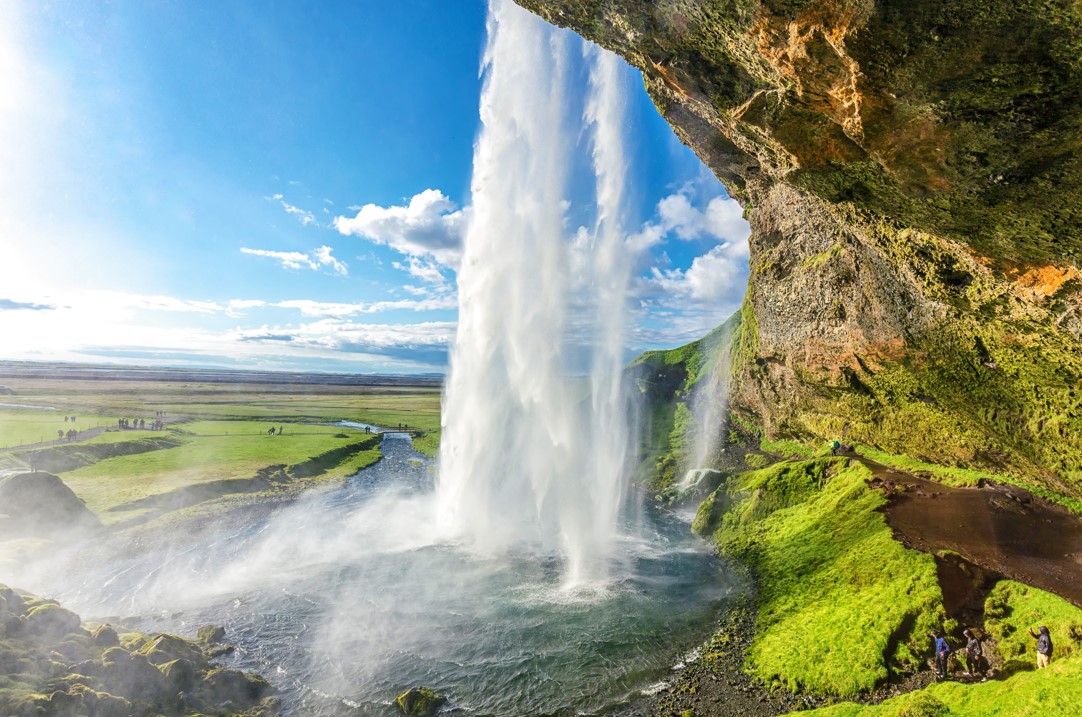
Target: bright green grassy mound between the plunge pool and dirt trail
[(842, 604)]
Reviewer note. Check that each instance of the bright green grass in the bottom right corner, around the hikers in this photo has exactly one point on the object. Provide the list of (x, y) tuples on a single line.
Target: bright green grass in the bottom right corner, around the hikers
[(1055, 692)]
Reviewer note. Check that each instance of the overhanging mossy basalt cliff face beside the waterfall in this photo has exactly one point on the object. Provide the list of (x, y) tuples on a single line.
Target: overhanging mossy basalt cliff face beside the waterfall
[(913, 174)]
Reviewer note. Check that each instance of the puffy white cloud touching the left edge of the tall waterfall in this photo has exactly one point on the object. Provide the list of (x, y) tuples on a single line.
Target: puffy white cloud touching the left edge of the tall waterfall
[(431, 225)]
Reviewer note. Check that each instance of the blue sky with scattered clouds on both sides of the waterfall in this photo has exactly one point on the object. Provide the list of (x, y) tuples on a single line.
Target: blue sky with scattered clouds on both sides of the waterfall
[(284, 185)]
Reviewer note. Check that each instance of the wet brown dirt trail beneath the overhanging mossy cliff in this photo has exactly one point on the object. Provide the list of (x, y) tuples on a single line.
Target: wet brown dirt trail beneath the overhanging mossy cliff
[(1006, 532)]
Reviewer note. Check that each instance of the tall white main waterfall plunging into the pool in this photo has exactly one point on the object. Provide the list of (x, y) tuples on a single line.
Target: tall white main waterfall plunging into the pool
[(530, 456)]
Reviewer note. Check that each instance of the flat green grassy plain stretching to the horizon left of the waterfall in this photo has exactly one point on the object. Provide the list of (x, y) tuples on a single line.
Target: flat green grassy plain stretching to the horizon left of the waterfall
[(217, 440)]
